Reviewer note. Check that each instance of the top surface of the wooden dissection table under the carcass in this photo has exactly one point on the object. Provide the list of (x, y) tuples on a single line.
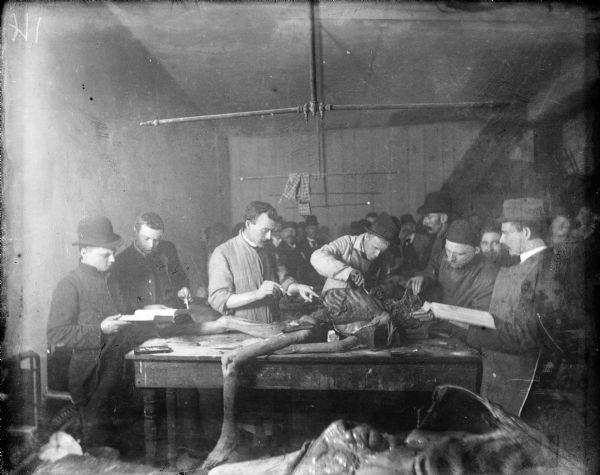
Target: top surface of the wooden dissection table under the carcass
[(210, 348)]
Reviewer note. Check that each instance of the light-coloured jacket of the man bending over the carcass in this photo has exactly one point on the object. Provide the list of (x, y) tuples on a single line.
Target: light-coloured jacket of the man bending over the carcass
[(337, 259)]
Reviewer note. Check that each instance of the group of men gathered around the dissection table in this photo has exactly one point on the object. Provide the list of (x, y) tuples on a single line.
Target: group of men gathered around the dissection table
[(247, 279)]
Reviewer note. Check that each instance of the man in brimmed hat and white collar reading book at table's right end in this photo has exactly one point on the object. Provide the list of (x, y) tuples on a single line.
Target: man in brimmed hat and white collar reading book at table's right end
[(528, 307)]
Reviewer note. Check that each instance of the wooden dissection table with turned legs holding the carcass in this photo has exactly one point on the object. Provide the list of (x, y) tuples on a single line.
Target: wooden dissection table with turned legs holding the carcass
[(195, 362)]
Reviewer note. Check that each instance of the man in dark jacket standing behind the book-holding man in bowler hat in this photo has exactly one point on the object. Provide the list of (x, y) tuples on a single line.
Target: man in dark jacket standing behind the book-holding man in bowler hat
[(149, 271)]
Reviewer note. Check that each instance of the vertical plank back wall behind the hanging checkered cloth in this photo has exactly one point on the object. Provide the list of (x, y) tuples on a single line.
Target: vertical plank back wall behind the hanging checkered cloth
[(417, 159)]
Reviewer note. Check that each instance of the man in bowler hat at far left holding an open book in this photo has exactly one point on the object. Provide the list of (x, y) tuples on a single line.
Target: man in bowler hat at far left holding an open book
[(84, 317)]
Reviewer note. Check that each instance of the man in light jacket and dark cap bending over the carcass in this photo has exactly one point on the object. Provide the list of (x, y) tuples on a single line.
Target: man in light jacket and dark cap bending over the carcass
[(346, 260)]
